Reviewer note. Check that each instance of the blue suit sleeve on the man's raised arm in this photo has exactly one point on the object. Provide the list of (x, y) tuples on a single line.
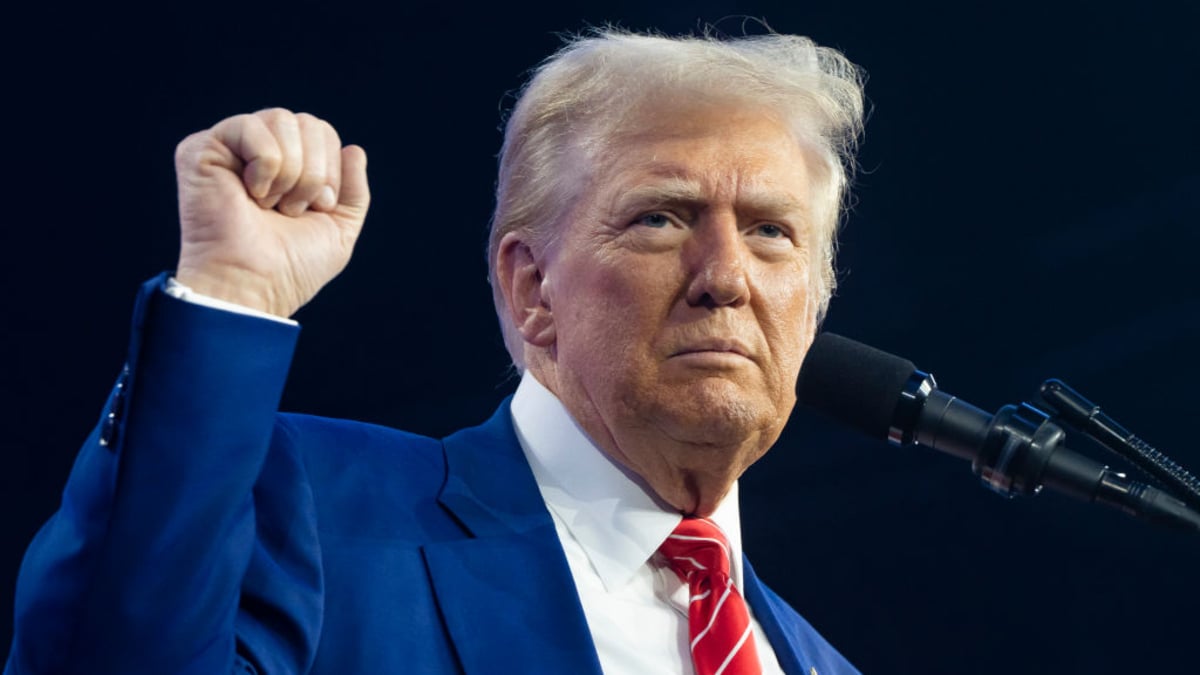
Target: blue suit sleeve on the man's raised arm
[(142, 569)]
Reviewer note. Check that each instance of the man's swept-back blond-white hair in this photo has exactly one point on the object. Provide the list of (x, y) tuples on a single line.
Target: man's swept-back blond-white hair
[(577, 103)]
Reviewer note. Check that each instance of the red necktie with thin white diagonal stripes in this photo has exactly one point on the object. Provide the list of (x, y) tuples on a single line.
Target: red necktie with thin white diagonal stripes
[(718, 619)]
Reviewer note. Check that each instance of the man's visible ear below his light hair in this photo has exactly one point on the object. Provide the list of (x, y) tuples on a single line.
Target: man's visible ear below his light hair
[(526, 291)]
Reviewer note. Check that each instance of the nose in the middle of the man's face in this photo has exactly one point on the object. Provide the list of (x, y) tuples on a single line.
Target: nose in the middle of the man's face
[(717, 259)]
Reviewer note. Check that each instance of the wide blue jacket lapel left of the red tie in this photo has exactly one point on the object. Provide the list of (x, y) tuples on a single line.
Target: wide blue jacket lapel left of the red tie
[(507, 594)]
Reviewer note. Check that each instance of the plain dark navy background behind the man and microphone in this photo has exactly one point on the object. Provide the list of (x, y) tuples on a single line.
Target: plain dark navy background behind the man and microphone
[(1029, 207)]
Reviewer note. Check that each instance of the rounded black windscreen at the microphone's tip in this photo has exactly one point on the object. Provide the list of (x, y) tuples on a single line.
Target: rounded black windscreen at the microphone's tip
[(854, 384)]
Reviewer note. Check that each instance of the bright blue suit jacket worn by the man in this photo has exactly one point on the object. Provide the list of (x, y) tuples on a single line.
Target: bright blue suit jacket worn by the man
[(203, 533)]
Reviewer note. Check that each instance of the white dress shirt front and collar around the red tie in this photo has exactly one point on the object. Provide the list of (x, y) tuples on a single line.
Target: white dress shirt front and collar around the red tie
[(611, 525)]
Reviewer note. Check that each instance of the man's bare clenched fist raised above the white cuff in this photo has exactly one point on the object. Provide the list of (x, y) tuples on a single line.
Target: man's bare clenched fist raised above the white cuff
[(271, 206)]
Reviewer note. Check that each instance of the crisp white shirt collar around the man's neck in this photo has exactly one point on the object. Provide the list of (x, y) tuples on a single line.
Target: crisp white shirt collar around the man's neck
[(610, 511)]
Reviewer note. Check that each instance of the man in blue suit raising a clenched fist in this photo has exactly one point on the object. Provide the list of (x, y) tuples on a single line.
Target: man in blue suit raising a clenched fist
[(661, 258)]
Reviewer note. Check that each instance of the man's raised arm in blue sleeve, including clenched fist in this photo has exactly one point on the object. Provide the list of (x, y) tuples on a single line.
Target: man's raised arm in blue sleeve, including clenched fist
[(149, 565)]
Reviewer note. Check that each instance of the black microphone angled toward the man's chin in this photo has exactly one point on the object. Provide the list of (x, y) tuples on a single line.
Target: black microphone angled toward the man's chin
[(1018, 451)]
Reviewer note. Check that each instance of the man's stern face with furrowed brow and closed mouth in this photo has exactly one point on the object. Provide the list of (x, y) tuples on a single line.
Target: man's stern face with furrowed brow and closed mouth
[(681, 290)]
